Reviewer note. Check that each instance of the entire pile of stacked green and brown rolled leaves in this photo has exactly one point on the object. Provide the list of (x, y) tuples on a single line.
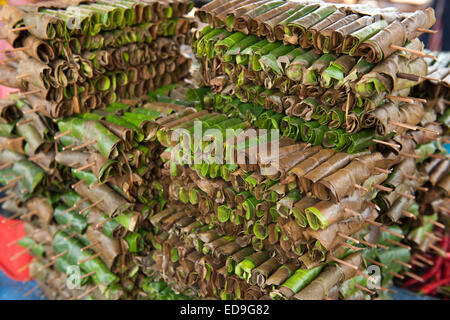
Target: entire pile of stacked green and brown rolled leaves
[(306, 169)]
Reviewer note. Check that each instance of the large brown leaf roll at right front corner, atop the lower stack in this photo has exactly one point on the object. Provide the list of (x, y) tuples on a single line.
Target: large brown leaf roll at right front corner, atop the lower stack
[(342, 183)]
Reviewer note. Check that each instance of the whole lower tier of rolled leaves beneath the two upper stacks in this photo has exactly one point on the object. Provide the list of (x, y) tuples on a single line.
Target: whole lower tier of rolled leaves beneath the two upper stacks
[(296, 221)]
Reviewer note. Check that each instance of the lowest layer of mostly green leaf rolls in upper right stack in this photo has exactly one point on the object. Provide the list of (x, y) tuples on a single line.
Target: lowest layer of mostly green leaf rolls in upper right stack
[(325, 128)]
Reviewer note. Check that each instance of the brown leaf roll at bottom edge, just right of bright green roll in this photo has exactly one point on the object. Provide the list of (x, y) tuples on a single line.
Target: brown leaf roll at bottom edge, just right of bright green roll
[(328, 278)]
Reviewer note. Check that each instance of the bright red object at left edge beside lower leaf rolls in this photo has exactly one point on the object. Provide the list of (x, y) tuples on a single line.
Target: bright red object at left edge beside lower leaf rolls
[(8, 235)]
